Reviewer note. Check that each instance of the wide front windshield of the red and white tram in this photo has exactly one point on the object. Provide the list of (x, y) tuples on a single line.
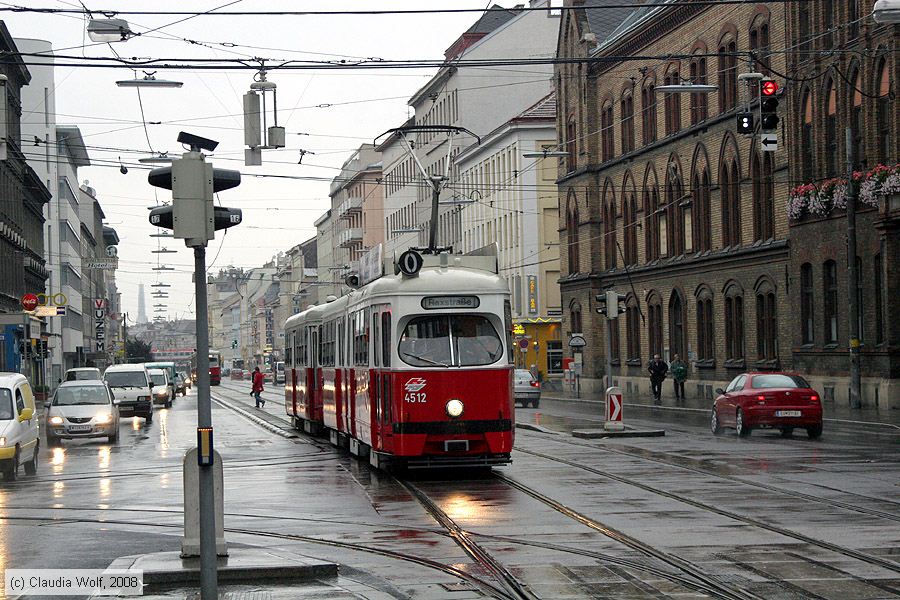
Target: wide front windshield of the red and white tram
[(450, 341)]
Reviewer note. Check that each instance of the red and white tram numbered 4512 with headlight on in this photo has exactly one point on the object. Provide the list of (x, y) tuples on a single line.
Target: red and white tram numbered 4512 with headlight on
[(412, 369)]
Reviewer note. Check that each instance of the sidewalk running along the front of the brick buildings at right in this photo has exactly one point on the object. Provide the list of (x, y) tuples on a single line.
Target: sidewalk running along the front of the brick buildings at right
[(888, 418)]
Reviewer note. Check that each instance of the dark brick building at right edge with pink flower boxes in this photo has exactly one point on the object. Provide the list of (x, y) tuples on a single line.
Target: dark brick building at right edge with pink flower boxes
[(830, 93)]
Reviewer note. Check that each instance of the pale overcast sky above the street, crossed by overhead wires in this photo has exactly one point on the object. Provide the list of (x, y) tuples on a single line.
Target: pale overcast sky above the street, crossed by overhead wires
[(328, 113)]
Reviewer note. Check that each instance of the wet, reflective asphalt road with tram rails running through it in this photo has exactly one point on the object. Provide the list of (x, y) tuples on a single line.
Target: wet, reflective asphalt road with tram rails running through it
[(689, 515)]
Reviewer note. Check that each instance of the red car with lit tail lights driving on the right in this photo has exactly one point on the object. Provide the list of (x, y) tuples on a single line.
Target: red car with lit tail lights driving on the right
[(782, 401)]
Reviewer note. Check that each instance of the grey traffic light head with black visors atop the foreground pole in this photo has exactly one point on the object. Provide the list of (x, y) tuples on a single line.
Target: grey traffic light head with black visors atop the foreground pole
[(192, 216)]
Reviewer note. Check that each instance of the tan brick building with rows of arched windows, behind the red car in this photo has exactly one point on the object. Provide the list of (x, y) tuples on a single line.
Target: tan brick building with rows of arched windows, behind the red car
[(662, 201)]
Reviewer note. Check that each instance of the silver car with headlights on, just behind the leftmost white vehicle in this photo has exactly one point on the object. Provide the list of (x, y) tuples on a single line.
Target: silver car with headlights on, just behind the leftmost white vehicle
[(82, 409)]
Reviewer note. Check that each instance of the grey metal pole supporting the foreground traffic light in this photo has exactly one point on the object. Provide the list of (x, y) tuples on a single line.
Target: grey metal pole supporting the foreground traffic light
[(208, 581)]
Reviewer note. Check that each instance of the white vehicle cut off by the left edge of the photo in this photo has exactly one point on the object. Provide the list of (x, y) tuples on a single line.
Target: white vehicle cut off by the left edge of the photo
[(19, 443)]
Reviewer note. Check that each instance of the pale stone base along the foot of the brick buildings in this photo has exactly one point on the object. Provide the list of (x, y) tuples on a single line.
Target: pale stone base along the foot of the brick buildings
[(876, 392)]
